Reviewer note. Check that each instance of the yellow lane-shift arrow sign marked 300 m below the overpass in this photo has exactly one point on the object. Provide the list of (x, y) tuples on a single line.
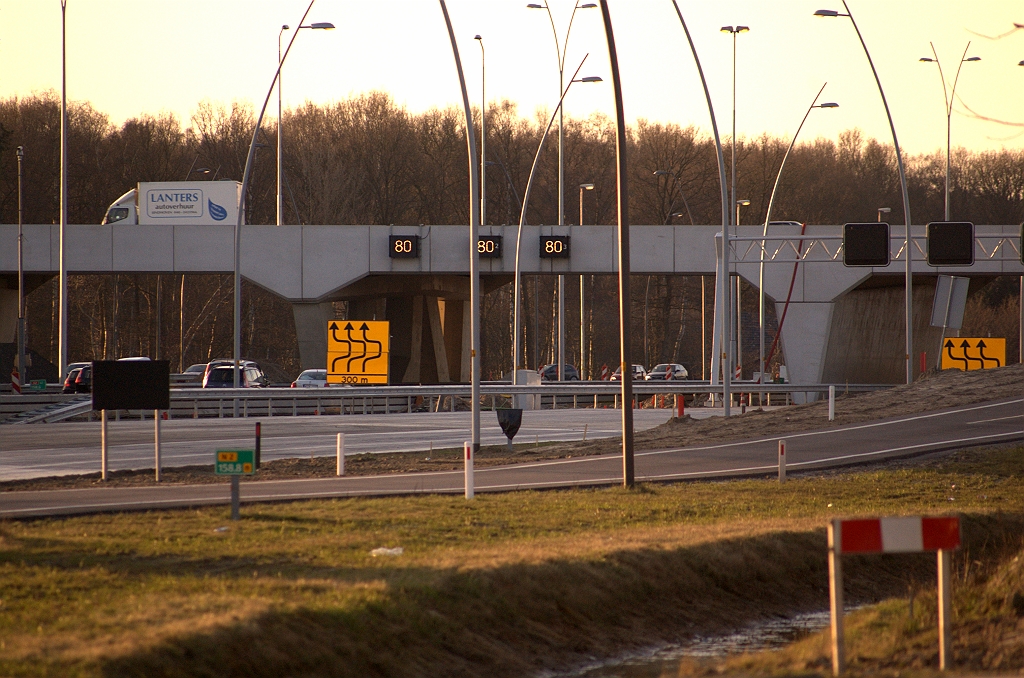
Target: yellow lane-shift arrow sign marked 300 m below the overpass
[(358, 352)]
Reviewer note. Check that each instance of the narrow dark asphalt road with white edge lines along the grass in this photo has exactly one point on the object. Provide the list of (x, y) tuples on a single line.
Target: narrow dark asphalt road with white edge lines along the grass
[(974, 426)]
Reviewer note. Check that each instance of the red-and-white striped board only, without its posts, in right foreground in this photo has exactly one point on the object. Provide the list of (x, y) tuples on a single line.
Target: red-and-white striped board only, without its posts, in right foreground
[(904, 535)]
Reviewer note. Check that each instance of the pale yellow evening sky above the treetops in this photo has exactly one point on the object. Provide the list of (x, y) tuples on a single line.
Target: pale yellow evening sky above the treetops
[(131, 58)]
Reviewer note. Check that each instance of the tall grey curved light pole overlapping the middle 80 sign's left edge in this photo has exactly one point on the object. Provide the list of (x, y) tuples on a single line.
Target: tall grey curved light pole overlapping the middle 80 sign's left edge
[(475, 255)]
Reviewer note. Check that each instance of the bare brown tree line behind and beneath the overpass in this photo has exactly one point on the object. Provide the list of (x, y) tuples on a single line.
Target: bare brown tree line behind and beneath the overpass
[(368, 160)]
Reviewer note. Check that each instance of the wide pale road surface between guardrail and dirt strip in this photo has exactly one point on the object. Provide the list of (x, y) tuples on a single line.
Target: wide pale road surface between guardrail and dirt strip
[(32, 451)]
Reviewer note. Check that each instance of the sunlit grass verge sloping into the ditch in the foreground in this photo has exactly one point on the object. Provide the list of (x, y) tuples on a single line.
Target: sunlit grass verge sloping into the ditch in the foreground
[(505, 585)]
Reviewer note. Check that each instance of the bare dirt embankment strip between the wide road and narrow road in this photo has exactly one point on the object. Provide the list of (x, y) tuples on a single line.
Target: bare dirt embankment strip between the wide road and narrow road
[(934, 391)]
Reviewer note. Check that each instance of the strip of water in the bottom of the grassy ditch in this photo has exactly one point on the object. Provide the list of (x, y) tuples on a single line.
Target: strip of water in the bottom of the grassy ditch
[(664, 661)]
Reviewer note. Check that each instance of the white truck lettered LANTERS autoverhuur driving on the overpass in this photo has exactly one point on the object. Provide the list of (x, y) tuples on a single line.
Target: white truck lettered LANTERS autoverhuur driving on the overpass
[(178, 203)]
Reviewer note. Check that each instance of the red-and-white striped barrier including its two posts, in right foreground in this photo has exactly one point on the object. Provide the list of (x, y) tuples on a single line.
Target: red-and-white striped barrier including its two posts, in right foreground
[(894, 535)]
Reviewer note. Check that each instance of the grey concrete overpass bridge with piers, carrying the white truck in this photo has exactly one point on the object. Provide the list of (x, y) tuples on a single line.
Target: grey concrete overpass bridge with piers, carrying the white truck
[(842, 324)]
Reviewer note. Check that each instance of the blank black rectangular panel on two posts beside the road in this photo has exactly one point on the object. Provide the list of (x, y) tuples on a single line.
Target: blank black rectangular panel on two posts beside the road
[(132, 386)]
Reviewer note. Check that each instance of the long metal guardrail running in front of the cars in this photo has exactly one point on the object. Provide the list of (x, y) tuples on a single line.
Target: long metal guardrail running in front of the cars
[(205, 403)]
